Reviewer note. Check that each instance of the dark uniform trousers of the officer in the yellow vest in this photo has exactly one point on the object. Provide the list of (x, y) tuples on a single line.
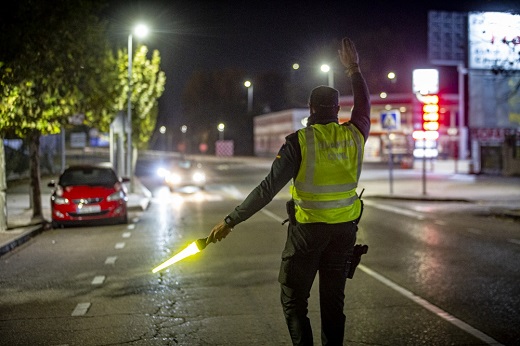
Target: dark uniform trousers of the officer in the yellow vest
[(311, 248)]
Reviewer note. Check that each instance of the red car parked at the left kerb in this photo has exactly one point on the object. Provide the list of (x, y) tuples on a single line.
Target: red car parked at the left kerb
[(88, 193)]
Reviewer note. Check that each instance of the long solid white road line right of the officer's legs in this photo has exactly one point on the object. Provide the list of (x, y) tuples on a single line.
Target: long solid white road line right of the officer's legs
[(429, 306)]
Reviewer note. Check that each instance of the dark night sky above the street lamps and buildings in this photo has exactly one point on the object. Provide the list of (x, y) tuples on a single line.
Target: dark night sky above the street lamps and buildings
[(270, 36)]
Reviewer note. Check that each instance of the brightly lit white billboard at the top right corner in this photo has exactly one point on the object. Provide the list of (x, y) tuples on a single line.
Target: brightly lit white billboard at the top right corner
[(494, 40)]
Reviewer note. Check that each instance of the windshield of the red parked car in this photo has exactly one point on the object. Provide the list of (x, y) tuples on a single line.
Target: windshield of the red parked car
[(88, 176)]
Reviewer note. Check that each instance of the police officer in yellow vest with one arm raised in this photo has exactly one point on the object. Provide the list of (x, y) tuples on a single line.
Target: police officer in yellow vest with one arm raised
[(324, 162)]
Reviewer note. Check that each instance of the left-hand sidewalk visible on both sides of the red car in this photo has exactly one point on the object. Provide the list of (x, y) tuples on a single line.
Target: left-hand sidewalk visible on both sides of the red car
[(21, 227)]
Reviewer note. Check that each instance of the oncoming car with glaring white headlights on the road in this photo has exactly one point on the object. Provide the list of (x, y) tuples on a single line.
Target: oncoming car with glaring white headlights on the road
[(183, 174)]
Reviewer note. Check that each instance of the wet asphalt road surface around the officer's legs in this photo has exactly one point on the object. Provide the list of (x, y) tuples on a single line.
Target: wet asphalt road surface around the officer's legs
[(435, 274)]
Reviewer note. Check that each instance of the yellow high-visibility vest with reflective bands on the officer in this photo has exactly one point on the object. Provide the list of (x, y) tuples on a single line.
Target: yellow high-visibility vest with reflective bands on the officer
[(325, 187)]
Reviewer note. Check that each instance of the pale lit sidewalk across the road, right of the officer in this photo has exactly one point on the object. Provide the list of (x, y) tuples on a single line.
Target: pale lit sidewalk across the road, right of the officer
[(444, 181)]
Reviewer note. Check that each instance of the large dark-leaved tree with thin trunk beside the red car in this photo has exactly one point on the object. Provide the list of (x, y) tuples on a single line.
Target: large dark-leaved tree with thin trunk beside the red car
[(53, 64)]
